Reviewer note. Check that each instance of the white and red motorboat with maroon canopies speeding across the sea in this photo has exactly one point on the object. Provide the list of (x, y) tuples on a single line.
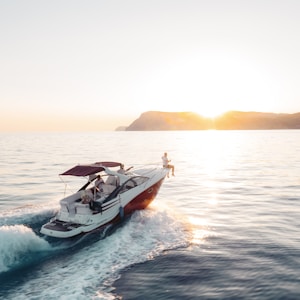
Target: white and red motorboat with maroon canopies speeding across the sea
[(121, 193)]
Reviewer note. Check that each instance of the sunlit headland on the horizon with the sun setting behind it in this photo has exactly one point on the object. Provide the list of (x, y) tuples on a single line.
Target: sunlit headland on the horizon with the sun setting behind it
[(232, 120)]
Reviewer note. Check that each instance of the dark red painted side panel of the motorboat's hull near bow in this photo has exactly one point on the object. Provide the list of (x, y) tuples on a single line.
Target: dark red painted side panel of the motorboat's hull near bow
[(143, 199)]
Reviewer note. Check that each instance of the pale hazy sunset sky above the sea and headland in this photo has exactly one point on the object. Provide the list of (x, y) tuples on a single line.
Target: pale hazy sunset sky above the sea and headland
[(95, 65)]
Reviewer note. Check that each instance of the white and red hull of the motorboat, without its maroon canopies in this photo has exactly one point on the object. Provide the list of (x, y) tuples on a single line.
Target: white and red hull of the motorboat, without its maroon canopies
[(75, 218)]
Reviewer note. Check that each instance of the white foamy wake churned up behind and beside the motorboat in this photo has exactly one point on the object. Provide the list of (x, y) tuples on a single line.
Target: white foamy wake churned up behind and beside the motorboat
[(93, 261)]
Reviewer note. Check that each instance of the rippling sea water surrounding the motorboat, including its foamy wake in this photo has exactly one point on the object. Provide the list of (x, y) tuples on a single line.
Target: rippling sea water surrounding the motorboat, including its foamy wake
[(227, 226)]
